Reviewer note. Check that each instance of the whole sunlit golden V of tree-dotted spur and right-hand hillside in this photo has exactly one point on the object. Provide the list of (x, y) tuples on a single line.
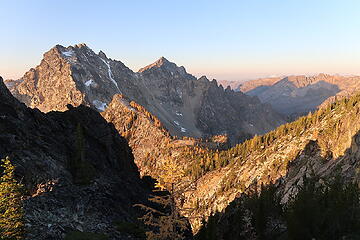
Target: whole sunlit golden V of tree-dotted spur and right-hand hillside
[(314, 144)]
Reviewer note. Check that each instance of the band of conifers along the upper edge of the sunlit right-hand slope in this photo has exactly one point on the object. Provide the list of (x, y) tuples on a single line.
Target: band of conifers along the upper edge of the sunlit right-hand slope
[(330, 137)]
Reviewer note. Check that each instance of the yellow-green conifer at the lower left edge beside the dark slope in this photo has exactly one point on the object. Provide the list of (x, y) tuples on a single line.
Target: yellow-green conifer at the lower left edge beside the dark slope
[(11, 208)]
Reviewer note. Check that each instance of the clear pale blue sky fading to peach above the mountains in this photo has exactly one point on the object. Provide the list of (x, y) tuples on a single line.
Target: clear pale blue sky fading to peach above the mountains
[(225, 40)]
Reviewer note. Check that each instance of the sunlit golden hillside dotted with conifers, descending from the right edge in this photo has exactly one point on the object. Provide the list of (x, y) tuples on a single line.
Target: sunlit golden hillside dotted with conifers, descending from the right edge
[(281, 154)]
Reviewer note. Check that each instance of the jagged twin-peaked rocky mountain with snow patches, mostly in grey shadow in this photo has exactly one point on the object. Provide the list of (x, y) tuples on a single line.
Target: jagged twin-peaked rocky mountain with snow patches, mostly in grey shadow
[(183, 104)]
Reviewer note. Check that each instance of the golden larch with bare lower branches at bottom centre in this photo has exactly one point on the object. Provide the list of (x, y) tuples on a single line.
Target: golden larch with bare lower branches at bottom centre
[(168, 222)]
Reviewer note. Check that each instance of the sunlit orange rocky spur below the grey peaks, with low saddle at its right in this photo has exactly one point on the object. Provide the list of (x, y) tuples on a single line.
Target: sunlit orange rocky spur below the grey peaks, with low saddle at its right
[(152, 144)]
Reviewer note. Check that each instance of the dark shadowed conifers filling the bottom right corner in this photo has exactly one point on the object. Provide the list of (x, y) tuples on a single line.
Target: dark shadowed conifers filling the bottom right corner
[(328, 211)]
